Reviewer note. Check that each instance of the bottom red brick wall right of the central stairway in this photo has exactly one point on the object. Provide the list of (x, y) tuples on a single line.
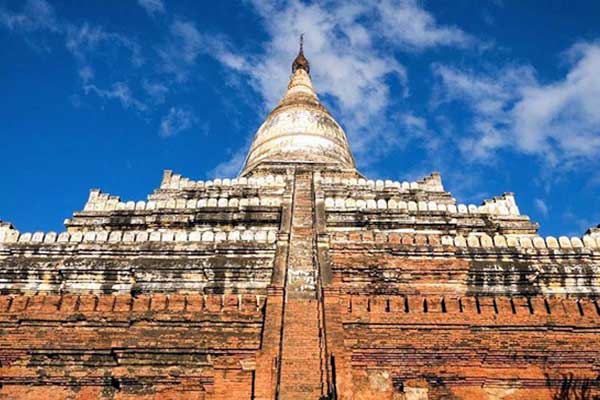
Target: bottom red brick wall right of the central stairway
[(470, 353)]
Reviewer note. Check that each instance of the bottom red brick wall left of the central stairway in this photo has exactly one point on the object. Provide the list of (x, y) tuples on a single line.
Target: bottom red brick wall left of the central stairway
[(121, 347)]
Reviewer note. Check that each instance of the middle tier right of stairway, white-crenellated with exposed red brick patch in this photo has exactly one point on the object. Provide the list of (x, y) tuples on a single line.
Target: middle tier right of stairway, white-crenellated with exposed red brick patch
[(392, 262)]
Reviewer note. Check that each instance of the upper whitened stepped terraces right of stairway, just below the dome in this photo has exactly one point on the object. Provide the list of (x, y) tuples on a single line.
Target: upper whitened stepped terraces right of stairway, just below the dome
[(421, 206)]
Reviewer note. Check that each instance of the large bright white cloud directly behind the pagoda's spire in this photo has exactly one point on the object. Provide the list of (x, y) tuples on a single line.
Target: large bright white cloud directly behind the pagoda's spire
[(343, 43)]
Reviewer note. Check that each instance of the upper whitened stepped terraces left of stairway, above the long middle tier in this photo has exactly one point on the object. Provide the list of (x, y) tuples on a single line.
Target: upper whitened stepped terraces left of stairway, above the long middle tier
[(184, 204)]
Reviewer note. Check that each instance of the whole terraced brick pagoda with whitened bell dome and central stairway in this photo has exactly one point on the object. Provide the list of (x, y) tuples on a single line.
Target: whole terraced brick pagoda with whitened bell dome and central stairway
[(299, 279)]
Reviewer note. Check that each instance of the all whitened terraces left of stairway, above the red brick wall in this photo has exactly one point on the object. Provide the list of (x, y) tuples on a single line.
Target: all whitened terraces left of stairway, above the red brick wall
[(188, 236)]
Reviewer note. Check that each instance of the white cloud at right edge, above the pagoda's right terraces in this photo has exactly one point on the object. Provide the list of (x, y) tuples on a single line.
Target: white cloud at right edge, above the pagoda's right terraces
[(511, 109)]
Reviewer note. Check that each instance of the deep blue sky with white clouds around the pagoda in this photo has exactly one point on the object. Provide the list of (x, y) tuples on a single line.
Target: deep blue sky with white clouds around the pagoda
[(496, 95)]
